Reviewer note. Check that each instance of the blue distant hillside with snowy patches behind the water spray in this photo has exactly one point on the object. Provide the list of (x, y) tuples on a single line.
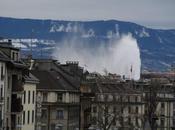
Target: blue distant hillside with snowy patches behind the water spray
[(157, 46)]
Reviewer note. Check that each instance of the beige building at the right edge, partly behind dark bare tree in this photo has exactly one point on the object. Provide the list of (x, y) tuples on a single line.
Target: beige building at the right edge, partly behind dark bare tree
[(158, 93)]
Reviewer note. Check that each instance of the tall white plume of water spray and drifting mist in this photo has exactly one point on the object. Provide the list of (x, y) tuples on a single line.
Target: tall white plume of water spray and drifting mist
[(118, 55)]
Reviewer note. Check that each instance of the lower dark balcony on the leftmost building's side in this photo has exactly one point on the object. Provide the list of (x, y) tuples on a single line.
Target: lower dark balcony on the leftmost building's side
[(16, 104)]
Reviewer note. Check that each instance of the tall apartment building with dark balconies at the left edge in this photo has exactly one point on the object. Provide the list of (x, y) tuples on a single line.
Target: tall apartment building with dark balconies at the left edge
[(11, 86)]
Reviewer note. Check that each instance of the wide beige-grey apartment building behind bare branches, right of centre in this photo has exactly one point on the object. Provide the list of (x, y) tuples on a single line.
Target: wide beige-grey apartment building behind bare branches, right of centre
[(112, 104)]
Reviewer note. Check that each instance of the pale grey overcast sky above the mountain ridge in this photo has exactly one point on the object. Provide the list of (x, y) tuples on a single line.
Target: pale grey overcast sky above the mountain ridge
[(152, 13)]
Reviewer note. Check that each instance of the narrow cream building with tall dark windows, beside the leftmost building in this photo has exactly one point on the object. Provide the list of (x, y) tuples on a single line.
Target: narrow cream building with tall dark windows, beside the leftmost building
[(29, 102)]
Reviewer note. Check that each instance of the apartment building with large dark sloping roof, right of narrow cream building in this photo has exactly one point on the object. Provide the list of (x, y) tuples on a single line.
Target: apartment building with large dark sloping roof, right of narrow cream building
[(58, 95)]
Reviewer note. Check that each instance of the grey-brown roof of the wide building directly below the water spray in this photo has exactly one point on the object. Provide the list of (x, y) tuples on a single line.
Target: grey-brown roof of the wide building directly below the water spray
[(109, 84)]
